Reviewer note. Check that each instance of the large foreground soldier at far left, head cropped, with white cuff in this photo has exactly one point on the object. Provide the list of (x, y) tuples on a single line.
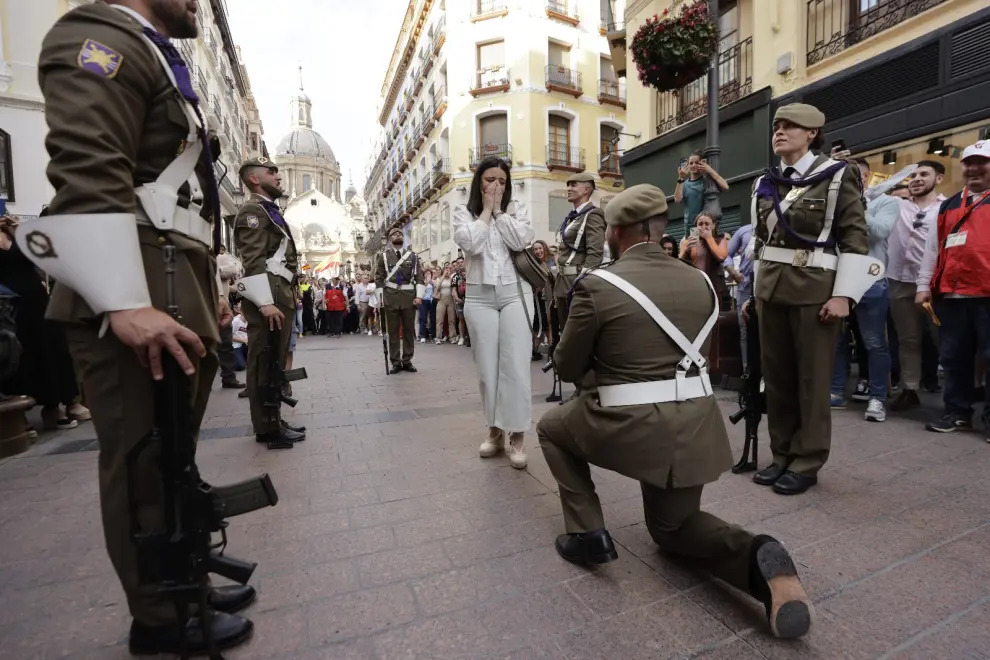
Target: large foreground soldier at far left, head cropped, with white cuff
[(132, 170)]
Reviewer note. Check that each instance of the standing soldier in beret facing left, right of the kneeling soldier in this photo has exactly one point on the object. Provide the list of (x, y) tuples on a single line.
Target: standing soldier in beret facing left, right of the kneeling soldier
[(811, 238)]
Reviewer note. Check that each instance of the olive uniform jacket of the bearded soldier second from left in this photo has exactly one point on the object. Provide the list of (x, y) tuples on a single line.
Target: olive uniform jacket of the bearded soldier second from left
[(258, 237)]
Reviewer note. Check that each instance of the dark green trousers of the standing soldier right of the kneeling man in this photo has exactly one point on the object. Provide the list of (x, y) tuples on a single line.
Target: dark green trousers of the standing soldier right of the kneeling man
[(798, 363)]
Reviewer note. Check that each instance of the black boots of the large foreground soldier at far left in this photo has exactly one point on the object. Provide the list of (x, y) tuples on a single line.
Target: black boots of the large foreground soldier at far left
[(229, 630)]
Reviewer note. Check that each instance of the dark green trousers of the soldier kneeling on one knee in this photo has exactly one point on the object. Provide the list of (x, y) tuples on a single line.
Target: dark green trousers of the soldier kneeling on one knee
[(673, 515)]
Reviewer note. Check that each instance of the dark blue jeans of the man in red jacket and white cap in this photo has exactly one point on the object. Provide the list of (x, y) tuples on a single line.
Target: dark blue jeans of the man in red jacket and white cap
[(964, 333)]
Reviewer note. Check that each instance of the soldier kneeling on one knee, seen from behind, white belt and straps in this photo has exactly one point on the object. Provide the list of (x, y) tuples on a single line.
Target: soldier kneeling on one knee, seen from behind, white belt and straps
[(643, 327)]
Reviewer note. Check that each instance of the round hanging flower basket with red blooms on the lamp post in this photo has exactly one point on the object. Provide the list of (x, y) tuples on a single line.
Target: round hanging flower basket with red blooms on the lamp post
[(672, 51)]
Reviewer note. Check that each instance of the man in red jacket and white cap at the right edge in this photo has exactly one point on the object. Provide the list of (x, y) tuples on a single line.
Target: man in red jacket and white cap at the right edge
[(960, 284)]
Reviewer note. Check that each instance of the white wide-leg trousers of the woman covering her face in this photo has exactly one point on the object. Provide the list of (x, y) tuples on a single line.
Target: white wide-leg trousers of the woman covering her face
[(502, 344)]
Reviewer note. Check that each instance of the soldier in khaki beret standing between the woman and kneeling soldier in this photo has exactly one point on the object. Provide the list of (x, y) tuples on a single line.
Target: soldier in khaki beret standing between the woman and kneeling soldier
[(580, 240)]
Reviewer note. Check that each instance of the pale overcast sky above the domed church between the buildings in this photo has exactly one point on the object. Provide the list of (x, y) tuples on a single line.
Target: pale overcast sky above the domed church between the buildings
[(344, 47)]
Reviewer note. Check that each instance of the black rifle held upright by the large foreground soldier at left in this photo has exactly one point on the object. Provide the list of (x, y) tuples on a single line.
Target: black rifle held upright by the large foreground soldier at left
[(181, 556)]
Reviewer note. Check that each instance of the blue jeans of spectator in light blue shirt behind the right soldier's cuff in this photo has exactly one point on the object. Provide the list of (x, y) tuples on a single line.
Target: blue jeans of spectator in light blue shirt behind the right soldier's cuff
[(871, 314)]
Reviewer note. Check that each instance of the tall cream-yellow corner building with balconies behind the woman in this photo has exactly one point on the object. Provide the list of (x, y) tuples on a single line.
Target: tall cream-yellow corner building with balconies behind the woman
[(529, 81)]
